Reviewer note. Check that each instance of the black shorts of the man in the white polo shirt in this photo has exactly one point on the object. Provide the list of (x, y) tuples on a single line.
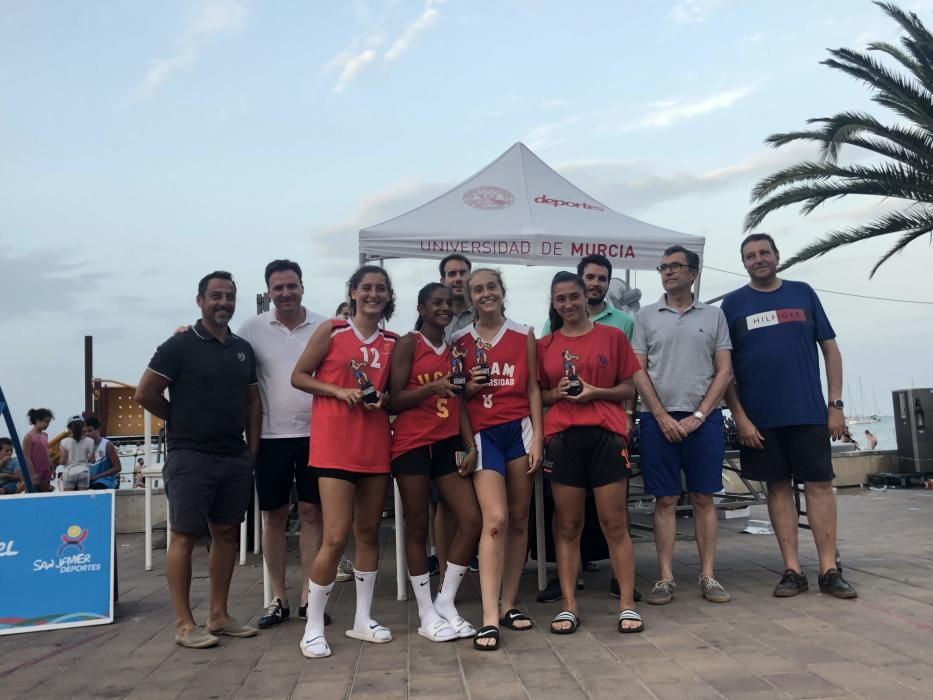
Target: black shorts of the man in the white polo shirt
[(280, 462)]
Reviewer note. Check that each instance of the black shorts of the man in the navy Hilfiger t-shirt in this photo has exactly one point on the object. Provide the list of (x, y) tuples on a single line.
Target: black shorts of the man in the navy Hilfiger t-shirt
[(799, 451)]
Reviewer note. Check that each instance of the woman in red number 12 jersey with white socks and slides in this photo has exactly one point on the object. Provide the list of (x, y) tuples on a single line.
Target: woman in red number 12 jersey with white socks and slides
[(346, 367)]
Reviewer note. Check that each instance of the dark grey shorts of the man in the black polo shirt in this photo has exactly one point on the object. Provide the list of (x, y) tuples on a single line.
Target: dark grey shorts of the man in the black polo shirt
[(205, 487)]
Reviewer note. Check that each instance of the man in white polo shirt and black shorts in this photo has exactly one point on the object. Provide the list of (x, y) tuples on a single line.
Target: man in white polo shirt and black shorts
[(278, 337)]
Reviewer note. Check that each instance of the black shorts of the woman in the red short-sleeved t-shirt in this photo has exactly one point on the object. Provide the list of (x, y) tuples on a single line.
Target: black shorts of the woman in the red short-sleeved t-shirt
[(586, 457)]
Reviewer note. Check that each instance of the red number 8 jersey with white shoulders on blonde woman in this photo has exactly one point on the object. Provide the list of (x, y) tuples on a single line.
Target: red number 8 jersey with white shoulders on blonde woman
[(505, 398)]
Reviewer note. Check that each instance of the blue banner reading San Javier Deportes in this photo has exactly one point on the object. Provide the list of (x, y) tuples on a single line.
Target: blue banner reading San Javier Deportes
[(56, 560)]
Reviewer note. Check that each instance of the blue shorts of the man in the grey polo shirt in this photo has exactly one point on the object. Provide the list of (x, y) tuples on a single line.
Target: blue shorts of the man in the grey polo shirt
[(700, 456)]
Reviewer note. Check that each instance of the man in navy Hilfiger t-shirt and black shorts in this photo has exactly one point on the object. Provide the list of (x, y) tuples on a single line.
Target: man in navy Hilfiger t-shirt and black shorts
[(782, 418)]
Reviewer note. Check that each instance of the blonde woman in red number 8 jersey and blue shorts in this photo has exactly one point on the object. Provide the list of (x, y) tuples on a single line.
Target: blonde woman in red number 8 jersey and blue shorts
[(504, 405)]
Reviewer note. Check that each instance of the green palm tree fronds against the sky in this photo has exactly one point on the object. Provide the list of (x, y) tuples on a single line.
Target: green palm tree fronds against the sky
[(903, 167)]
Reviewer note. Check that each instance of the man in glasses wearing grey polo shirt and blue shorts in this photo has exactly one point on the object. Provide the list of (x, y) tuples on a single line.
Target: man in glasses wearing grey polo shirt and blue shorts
[(685, 353)]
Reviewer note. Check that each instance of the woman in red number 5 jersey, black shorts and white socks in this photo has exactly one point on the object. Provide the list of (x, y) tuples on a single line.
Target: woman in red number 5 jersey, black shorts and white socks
[(427, 434)]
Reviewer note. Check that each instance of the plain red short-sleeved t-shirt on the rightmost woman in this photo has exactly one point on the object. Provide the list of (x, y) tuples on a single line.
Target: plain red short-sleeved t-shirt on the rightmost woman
[(602, 358)]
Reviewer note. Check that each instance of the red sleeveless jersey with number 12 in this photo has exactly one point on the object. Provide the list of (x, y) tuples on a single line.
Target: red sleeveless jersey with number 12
[(352, 437)]
